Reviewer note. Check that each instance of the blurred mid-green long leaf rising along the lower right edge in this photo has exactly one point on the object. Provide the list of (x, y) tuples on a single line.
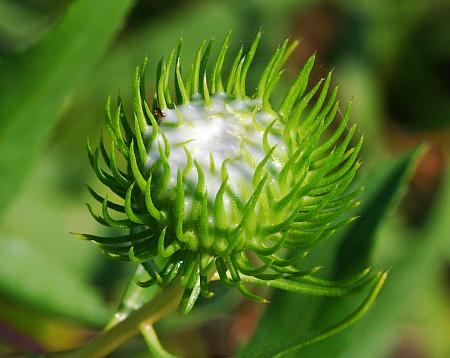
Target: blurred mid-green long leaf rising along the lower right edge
[(374, 335)]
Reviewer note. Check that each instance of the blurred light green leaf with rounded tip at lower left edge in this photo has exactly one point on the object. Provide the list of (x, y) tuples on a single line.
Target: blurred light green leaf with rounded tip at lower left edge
[(31, 277)]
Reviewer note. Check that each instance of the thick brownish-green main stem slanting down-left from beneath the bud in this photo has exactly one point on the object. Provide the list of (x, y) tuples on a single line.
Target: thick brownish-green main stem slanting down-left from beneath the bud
[(165, 302)]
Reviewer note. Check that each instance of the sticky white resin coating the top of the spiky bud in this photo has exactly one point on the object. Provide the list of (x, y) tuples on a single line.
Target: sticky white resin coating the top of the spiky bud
[(222, 129)]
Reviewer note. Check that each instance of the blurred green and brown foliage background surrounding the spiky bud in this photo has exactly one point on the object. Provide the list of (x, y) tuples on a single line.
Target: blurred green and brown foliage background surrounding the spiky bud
[(56, 70)]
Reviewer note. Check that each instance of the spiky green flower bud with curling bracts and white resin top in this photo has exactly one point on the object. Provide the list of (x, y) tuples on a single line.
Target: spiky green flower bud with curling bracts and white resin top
[(221, 184)]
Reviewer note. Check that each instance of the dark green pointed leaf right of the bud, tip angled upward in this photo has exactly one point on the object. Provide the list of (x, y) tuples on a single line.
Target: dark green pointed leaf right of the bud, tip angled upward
[(287, 312)]
